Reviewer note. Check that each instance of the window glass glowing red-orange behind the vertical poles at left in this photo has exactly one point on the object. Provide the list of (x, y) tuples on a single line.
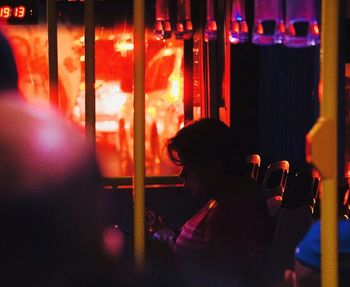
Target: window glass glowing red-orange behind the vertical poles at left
[(114, 82)]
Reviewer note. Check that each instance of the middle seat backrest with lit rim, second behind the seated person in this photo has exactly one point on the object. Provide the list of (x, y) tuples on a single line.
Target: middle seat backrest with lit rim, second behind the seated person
[(275, 179)]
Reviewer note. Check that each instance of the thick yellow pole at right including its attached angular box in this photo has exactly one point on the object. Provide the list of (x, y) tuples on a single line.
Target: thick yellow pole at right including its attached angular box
[(323, 138)]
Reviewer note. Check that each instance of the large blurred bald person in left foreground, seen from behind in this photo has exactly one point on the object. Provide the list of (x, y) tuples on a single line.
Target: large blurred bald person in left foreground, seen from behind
[(52, 230)]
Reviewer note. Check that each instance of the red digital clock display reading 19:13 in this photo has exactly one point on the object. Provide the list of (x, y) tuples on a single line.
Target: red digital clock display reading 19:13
[(19, 11)]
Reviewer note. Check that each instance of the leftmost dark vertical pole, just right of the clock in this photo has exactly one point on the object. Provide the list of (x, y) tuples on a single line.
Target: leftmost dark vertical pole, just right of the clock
[(51, 13)]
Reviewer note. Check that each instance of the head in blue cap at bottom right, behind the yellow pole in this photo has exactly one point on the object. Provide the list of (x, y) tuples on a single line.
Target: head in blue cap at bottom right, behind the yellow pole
[(307, 264)]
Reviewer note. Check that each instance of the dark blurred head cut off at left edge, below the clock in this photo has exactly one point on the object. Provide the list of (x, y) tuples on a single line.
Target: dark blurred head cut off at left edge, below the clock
[(8, 68)]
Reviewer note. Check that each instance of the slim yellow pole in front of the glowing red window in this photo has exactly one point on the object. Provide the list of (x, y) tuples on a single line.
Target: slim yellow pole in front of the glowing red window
[(139, 134)]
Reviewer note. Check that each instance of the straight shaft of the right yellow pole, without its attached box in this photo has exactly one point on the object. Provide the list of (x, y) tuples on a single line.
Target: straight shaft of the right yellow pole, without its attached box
[(329, 80)]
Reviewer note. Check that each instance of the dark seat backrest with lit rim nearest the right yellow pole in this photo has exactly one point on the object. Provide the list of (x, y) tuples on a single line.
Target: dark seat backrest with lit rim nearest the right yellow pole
[(303, 191)]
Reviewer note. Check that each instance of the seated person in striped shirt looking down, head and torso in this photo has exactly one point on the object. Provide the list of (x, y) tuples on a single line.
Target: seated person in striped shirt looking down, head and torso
[(224, 244)]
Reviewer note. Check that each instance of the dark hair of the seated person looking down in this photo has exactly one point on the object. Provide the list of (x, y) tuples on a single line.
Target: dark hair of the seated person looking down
[(204, 140)]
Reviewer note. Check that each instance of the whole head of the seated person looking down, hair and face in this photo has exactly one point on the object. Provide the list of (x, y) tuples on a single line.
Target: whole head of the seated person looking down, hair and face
[(208, 153)]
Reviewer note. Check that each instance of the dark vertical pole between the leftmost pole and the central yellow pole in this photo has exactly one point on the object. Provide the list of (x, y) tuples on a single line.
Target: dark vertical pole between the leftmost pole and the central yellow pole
[(89, 42)]
